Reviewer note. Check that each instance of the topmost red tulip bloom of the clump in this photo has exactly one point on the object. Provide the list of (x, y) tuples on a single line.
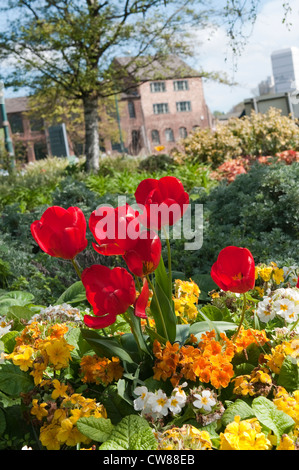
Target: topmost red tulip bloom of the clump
[(164, 201)]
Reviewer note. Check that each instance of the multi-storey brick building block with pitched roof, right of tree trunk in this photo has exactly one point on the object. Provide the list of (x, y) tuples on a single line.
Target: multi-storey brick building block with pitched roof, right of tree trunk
[(166, 105)]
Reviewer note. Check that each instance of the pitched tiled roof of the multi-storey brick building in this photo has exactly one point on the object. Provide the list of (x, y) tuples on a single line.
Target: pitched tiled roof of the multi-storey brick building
[(148, 68)]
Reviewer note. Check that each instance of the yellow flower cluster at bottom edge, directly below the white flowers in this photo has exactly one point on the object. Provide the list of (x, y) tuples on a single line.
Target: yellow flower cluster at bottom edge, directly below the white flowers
[(187, 437)]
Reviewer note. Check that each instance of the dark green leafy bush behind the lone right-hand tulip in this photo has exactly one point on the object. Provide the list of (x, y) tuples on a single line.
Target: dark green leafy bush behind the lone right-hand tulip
[(258, 210)]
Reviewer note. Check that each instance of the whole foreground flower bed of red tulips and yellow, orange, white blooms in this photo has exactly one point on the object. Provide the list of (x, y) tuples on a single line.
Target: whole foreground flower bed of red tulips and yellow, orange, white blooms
[(132, 359)]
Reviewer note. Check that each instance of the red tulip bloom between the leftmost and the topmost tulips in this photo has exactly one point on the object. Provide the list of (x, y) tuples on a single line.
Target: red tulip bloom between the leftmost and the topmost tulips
[(115, 230)]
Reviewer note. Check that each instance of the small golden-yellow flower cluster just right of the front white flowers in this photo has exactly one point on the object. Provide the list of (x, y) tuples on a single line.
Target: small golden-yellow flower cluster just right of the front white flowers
[(259, 382)]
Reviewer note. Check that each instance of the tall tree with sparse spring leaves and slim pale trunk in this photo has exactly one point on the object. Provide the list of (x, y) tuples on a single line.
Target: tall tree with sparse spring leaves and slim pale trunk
[(71, 44)]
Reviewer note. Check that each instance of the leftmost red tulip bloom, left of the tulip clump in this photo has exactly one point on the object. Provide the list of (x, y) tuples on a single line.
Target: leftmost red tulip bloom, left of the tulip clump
[(61, 232)]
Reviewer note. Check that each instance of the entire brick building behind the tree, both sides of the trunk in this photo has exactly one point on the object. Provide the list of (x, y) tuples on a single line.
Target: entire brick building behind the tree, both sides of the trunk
[(164, 102)]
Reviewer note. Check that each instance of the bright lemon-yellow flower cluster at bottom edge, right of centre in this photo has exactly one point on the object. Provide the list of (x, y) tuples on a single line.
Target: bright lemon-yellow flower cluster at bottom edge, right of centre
[(244, 435)]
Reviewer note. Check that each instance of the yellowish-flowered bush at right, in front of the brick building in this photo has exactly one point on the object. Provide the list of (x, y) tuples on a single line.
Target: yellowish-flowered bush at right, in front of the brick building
[(254, 135)]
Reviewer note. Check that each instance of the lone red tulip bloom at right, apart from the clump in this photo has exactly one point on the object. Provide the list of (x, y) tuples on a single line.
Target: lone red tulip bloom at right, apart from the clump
[(234, 270)]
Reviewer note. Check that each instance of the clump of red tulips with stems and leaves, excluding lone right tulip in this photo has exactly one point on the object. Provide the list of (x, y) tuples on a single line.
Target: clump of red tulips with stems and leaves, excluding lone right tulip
[(143, 287)]
